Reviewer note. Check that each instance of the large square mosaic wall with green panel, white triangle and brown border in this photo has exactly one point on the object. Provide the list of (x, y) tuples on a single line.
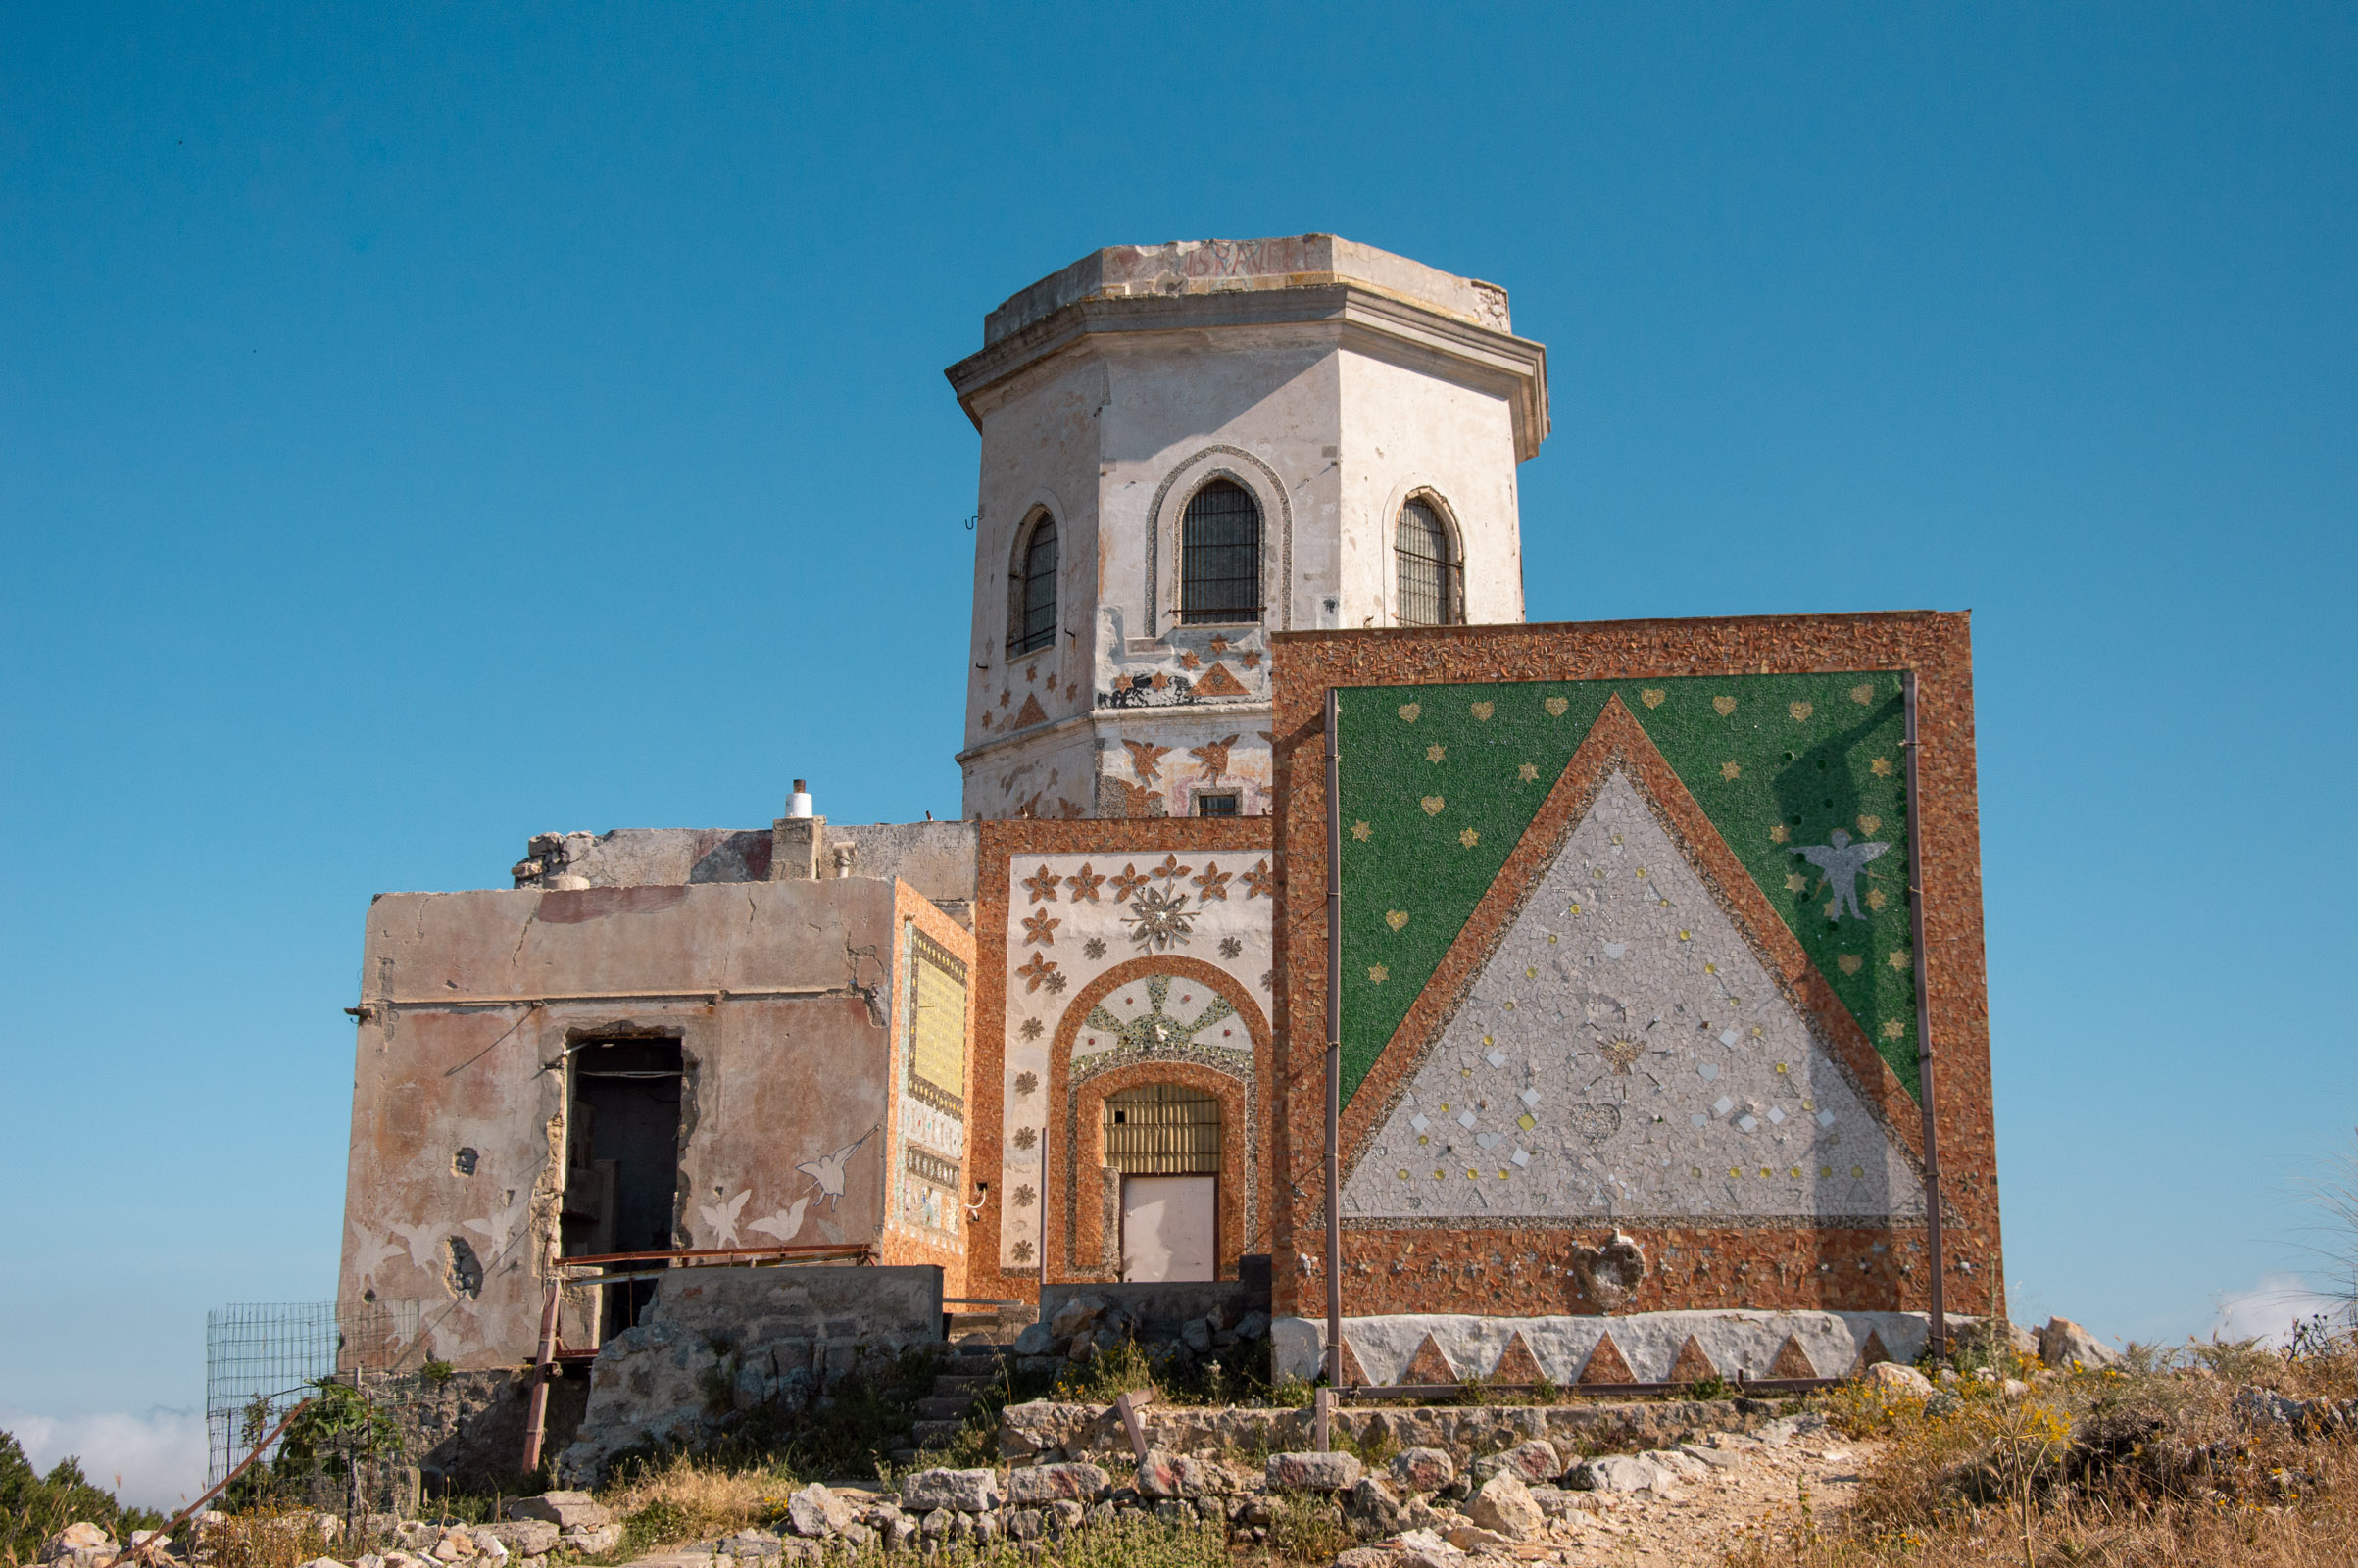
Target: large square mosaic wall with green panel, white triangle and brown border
[(1631, 994)]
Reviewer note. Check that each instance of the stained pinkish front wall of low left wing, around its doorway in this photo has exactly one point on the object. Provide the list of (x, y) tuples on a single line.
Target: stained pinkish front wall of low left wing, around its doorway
[(782, 996)]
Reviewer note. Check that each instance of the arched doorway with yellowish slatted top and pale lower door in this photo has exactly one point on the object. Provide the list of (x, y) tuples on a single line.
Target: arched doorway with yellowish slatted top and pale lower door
[(1164, 1140)]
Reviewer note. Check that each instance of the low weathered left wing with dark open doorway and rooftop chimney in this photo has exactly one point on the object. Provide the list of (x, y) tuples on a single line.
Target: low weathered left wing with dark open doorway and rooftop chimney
[(617, 1058)]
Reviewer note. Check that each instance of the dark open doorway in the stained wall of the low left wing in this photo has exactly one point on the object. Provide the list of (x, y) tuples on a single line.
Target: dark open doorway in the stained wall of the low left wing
[(624, 1161)]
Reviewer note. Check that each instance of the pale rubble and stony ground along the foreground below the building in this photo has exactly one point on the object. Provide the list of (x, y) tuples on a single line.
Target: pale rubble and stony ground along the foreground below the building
[(1692, 1484)]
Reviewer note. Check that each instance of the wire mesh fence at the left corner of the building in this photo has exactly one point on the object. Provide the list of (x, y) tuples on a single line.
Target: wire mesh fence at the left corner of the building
[(265, 1357)]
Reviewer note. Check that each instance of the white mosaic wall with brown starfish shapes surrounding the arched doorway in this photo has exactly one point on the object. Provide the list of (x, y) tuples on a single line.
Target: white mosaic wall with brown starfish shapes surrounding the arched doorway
[(1114, 954)]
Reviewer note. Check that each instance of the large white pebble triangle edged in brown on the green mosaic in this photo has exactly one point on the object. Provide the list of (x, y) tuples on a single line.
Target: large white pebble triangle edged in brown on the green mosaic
[(1626, 1055)]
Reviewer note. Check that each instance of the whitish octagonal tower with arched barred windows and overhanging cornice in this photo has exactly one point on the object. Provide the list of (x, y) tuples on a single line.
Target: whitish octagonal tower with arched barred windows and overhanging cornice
[(1192, 447)]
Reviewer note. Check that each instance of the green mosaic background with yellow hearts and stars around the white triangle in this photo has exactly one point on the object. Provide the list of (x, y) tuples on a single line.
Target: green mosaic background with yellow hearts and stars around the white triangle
[(1442, 782)]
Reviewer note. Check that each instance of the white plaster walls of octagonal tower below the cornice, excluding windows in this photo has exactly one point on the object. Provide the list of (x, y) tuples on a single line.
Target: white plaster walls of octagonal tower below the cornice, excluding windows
[(1114, 435)]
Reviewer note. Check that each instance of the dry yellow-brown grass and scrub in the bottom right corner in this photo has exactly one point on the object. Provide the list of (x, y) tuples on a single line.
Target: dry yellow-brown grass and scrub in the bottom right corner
[(2147, 1465)]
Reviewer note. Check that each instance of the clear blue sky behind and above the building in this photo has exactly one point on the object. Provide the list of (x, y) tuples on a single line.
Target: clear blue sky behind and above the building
[(426, 428)]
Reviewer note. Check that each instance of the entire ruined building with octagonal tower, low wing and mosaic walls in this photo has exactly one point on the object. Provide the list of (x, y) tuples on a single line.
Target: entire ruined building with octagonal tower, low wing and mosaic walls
[(1633, 999)]
